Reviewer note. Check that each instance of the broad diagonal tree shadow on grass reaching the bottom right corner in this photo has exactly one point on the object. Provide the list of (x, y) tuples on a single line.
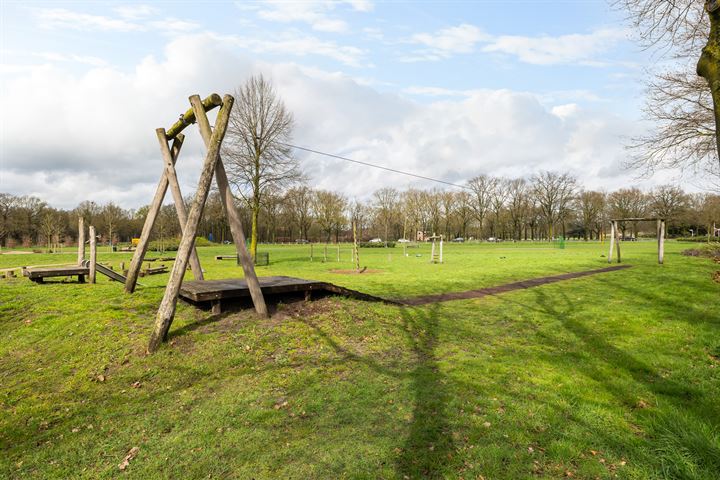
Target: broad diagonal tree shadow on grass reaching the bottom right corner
[(682, 429)]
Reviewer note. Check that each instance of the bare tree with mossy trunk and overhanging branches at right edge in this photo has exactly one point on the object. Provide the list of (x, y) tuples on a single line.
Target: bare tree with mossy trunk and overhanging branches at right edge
[(680, 104)]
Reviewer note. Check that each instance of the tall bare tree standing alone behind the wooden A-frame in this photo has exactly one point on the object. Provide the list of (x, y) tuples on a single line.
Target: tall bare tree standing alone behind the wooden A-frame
[(256, 150)]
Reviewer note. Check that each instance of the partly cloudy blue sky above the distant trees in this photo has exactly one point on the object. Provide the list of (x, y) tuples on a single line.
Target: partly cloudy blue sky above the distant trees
[(448, 89)]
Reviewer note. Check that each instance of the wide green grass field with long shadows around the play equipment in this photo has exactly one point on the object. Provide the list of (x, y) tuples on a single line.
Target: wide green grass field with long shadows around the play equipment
[(616, 375)]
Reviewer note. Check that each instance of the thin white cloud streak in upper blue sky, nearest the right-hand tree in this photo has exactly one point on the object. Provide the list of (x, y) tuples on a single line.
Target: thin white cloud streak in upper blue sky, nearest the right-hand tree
[(564, 49)]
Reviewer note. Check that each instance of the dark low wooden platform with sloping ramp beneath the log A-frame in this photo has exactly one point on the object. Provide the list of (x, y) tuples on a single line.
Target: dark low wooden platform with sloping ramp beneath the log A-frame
[(214, 291)]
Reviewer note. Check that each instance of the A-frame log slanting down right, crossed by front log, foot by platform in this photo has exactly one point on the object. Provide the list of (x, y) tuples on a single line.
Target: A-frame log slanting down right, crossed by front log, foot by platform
[(231, 212)]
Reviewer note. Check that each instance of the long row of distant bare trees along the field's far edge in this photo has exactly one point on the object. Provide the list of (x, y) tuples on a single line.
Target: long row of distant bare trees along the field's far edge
[(546, 206)]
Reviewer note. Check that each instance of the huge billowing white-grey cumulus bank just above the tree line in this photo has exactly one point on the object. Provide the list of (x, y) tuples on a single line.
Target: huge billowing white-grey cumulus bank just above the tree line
[(91, 136)]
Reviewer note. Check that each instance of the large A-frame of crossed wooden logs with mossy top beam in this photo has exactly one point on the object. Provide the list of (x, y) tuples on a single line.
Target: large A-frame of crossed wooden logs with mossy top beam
[(189, 221)]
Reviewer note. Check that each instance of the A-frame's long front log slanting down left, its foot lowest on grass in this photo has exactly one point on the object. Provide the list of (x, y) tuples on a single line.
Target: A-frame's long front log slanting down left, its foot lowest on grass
[(166, 312)]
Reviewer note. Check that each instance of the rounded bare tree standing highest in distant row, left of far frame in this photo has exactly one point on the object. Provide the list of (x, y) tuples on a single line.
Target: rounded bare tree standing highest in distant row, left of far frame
[(554, 193)]
